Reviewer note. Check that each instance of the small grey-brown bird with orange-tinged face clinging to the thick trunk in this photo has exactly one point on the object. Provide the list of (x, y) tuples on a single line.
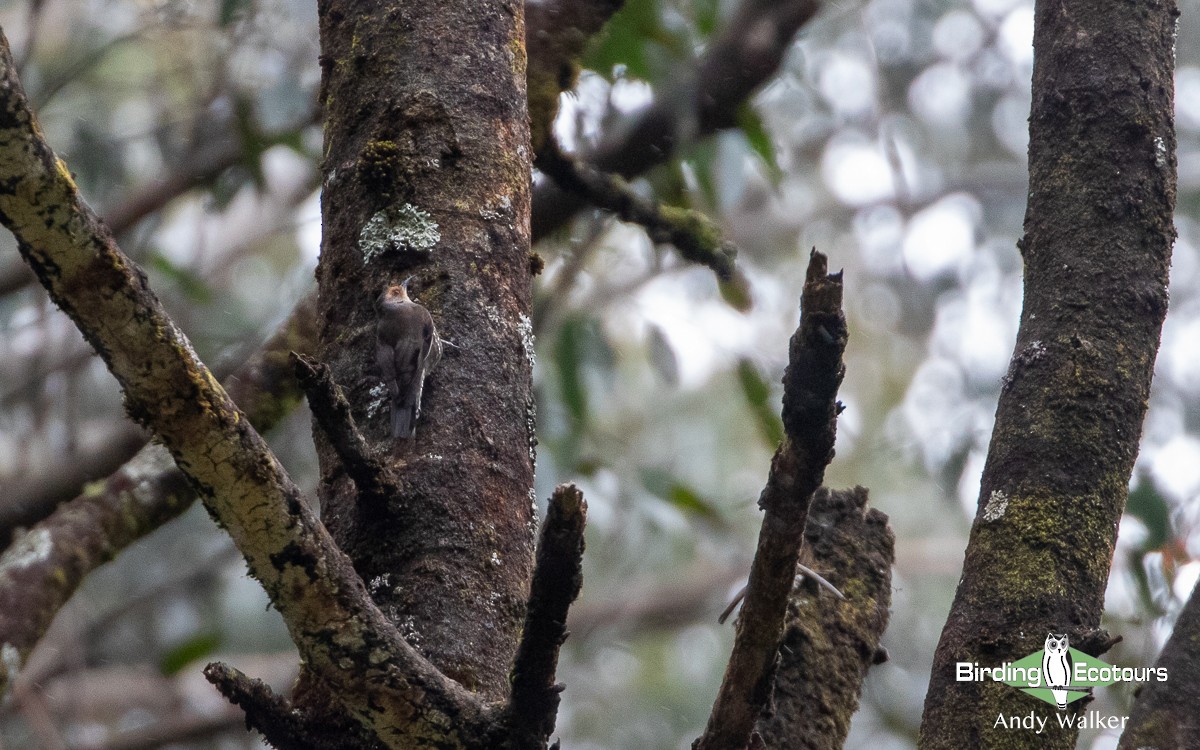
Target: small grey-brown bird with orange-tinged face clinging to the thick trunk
[(407, 349)]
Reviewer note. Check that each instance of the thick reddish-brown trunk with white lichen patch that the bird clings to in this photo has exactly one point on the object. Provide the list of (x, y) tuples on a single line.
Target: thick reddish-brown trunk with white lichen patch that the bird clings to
[(428, 173)]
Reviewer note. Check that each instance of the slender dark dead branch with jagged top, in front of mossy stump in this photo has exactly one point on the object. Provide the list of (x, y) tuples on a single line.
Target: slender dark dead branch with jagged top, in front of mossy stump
[(811, 413)]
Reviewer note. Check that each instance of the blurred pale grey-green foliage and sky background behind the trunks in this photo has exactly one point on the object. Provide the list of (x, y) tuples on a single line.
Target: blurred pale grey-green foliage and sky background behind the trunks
[(892, 139)]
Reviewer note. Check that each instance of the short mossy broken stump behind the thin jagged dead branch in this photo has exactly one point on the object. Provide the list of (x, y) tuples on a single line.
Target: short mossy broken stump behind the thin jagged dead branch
[(830, 645)]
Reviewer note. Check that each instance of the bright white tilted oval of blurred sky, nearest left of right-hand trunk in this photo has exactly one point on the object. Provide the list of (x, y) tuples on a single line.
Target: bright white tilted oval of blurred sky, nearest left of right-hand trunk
[(941, 237)]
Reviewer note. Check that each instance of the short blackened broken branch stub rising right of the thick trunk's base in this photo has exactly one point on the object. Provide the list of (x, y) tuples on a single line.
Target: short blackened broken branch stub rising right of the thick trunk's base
[(557, 578)]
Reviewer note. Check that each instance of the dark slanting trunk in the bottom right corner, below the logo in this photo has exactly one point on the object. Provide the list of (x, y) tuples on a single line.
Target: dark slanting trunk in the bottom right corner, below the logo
[(1165, 716)]
